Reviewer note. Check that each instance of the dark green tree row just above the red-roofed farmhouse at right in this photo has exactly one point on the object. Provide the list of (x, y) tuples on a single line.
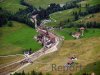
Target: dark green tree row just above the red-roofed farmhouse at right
[(66, 24)]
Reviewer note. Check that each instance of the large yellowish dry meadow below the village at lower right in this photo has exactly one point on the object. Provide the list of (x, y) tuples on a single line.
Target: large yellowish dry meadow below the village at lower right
[(86, 50)]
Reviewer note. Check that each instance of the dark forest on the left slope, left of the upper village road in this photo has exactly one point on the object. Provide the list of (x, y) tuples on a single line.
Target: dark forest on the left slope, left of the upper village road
[(21, 16)]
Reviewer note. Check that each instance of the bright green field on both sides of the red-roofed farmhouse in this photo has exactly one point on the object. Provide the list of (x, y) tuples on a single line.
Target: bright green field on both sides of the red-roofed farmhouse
[(87, 34)]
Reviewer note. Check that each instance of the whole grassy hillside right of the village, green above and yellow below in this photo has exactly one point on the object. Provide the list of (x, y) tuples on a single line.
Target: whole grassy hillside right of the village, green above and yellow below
[(85, 49)]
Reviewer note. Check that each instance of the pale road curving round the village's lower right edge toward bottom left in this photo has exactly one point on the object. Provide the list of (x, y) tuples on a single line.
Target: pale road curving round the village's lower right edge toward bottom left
[(40, 53)]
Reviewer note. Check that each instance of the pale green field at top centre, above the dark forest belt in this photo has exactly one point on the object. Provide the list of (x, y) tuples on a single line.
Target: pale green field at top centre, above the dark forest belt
[(44, 3)]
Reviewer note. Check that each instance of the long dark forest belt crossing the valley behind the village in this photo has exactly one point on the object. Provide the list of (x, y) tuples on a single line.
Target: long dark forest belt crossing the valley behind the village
[(23, 15)]
